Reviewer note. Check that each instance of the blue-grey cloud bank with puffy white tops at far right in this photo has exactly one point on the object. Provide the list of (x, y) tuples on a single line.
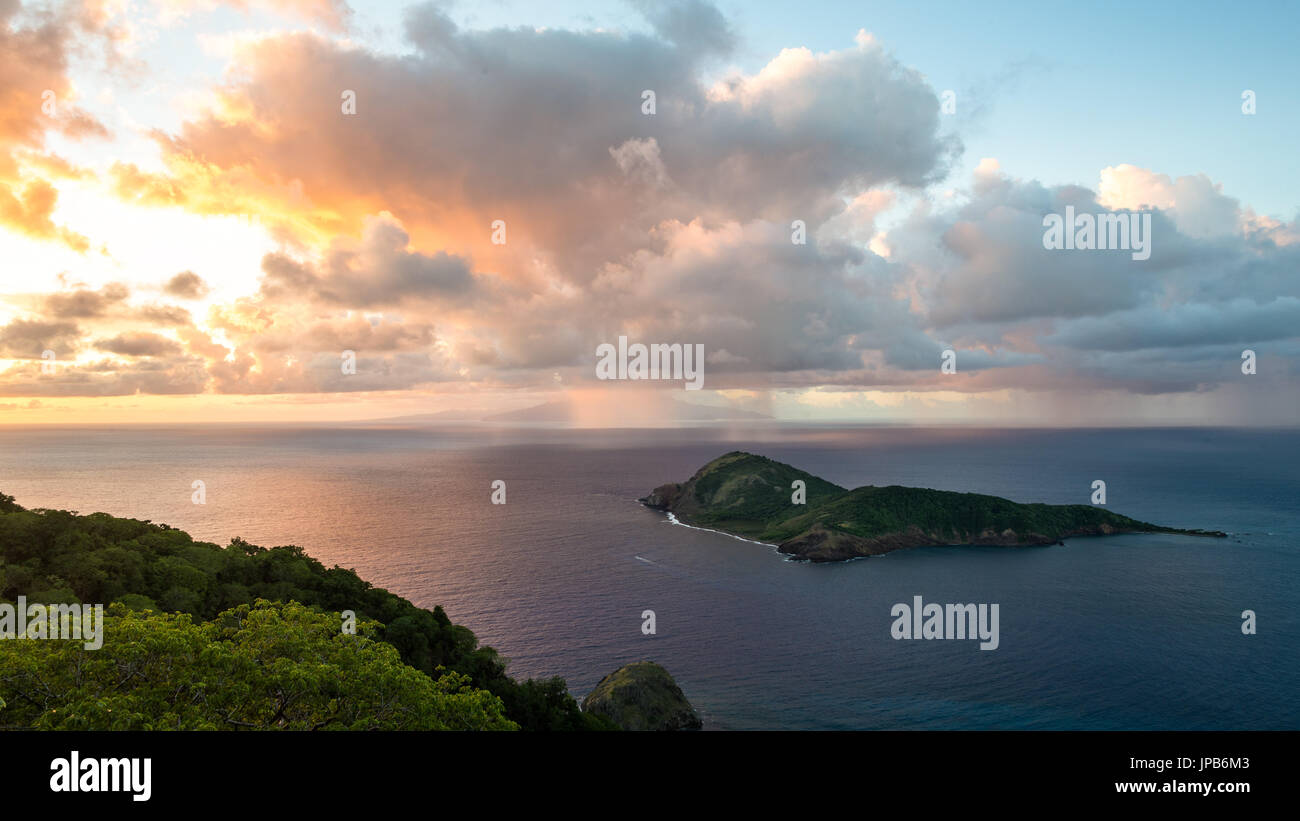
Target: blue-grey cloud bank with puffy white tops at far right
[(1215, 285)]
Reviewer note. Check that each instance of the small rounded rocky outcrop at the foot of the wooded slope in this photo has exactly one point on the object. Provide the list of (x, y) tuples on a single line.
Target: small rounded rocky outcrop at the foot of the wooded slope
[(643, 697)]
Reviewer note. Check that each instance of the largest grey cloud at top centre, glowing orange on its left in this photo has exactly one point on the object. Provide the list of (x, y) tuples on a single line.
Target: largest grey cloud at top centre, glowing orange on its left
[(519, 124)]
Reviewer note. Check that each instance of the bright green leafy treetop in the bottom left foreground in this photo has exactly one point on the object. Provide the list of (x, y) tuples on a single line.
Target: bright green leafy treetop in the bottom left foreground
[(265, 667)]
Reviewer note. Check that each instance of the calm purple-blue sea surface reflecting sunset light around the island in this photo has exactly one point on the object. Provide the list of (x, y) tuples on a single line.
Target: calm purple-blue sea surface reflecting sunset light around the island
[(1115, 633)]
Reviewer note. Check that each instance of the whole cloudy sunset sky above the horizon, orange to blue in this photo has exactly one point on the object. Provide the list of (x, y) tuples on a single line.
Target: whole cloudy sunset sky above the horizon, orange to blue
[(301, 211)]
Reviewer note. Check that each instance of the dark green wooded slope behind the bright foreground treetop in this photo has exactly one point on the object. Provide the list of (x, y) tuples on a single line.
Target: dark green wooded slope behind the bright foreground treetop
[(103, 559)]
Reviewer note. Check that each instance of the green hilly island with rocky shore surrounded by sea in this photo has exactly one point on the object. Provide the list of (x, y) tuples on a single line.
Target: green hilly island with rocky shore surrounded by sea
[(755, 498)]
